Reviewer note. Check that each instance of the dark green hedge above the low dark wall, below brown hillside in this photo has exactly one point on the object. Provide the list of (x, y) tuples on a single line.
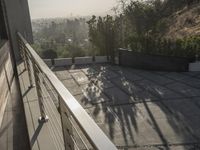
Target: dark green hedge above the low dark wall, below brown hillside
[(186, 47)]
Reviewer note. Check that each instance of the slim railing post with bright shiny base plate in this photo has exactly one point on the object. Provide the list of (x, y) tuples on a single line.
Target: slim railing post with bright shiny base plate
[(43, 117)]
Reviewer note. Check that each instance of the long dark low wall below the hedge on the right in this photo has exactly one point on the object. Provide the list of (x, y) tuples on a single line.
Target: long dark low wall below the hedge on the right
[(152, 62)]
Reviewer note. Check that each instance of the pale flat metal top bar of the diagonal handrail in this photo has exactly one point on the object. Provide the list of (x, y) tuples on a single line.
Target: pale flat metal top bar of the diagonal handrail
[(91, 130)]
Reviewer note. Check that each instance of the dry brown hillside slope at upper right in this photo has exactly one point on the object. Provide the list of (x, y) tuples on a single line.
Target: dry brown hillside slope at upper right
[(183, 23)]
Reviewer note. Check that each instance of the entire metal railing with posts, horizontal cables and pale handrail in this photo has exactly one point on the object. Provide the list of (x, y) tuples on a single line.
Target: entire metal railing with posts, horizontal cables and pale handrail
[(78, 129)]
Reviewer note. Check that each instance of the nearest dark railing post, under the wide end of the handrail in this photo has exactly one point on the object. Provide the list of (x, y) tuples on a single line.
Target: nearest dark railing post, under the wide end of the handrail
[(66, 126)]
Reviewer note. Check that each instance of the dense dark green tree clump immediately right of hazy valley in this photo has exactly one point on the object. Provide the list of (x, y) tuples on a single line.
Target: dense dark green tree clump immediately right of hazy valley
[(102, 34)]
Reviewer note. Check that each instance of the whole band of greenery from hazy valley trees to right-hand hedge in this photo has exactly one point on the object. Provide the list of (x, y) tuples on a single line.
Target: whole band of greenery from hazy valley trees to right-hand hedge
[(138, 25)]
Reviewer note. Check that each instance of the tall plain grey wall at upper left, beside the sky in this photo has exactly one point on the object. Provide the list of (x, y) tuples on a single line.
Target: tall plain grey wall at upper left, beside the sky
[(17, 17)]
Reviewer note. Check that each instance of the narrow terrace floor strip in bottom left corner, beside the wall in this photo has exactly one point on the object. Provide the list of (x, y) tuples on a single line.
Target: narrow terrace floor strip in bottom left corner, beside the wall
[(13, 132)]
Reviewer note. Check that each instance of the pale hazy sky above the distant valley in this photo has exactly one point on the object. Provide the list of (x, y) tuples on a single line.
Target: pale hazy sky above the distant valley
[(64, 8)]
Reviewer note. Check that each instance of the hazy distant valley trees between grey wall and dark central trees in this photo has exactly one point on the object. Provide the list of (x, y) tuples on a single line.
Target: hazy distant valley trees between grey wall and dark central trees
[(68, 38)]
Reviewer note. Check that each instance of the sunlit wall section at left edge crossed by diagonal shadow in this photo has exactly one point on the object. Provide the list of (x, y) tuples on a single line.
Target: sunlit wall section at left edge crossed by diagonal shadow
[(6, 77)]
